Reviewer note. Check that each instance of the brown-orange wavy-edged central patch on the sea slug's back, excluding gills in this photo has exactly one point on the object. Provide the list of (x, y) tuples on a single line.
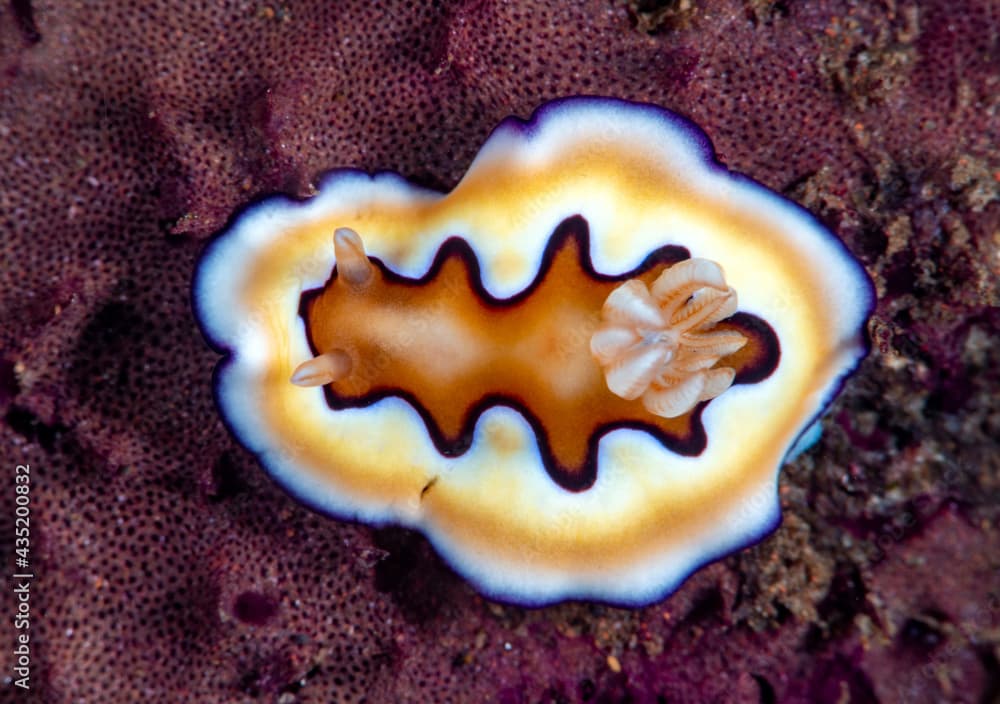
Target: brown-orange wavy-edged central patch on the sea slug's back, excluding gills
[(453, 351)]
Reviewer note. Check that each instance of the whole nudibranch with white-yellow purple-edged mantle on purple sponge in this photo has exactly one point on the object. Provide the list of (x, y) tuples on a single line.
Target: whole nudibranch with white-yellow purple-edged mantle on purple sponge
[(577, 373)]
